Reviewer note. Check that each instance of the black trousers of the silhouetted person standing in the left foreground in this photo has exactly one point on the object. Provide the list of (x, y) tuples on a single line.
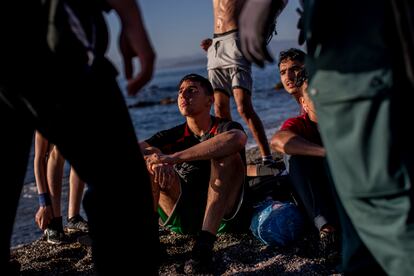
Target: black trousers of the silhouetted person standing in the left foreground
[(91, 126)]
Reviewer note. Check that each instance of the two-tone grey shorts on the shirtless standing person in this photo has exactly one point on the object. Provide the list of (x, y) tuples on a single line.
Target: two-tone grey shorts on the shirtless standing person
[(227, 67)]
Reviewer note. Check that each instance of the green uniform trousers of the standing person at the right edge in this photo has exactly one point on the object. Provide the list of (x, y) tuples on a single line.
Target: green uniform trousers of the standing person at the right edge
[(361, 119)]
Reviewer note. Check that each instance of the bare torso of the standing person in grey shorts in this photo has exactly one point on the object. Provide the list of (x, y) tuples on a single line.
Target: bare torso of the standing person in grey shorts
[(226, 14)]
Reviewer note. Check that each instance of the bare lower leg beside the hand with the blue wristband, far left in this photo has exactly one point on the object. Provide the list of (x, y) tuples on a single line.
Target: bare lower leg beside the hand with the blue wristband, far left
[(54, 179)]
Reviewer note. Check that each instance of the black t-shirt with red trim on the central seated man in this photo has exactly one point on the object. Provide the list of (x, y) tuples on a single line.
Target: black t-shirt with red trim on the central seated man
[(180, 138)]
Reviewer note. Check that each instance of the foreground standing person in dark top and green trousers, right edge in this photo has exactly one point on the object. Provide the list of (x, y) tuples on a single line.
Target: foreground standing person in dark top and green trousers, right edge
[(363, 102)]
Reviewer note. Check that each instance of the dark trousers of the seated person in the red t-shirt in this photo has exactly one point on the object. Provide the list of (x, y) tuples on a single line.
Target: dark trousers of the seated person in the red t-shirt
[(311, 183)]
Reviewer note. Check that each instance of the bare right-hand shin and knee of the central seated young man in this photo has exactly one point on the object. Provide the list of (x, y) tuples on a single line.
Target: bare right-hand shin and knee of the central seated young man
[(227, 177)]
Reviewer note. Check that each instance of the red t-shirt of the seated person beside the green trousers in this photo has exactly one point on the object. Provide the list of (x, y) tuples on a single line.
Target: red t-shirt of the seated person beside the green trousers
[(303, 127)]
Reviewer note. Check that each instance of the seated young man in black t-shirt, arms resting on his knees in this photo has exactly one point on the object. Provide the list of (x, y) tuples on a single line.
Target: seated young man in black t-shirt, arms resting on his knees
[(197, 169)]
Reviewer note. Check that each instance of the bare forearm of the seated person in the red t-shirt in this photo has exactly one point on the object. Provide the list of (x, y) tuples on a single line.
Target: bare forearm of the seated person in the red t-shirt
[(288, 142)]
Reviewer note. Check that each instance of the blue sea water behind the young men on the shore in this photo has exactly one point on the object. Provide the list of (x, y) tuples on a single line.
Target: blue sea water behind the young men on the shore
[(272, 106)]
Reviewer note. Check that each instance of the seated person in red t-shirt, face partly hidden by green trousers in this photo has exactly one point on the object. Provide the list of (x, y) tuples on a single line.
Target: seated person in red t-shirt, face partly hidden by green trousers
[(299, 140)]
